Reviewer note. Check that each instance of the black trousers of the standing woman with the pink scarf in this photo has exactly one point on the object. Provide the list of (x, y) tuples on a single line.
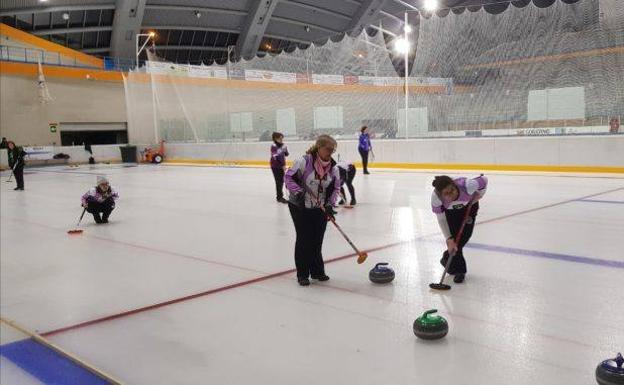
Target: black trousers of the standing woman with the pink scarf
[(310, 225)]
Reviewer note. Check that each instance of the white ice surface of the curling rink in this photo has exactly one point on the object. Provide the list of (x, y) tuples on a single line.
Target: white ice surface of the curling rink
[(527, 313)]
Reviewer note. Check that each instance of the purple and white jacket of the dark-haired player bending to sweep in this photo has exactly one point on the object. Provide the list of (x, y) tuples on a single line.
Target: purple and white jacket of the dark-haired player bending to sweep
[(467, 188)]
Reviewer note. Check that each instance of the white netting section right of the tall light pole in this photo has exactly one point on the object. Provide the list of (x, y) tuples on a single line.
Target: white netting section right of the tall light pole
[(557, 67)]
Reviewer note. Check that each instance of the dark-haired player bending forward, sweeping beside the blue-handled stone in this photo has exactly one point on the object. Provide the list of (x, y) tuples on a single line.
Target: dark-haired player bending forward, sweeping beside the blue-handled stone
[(449, 201)]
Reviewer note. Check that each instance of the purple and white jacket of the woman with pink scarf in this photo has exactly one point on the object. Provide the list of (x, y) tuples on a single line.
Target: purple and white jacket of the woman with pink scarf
[(326, 190)]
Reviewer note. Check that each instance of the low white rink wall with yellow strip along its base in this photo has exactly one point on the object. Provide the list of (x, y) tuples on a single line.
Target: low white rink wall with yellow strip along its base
[(596, 153)]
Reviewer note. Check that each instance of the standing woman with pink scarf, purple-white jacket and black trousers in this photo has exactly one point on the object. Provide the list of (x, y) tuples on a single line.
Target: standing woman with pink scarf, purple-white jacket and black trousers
[(314, 185)]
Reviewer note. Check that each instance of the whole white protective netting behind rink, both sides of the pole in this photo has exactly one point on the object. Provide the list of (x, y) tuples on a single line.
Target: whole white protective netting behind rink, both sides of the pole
[(557, 69)]
